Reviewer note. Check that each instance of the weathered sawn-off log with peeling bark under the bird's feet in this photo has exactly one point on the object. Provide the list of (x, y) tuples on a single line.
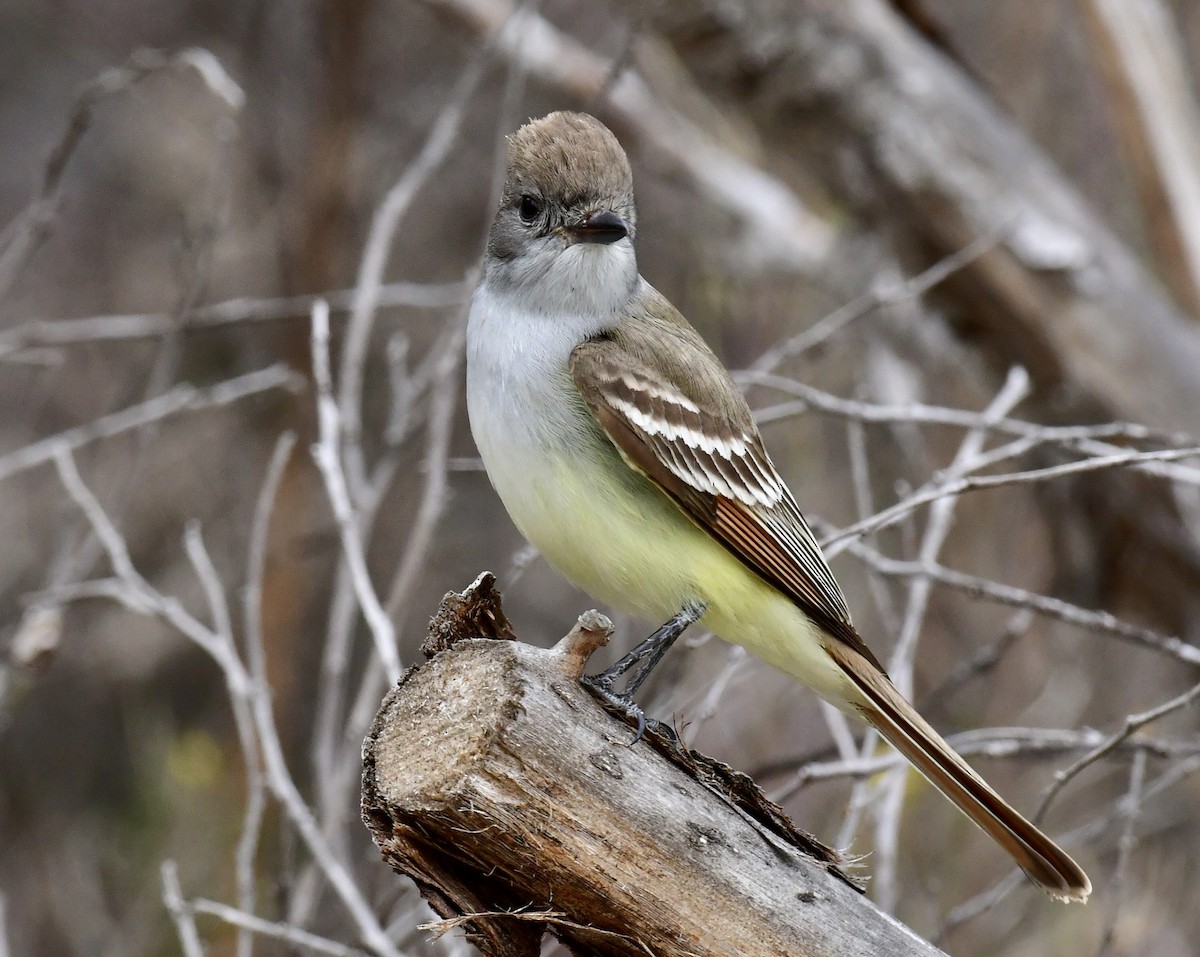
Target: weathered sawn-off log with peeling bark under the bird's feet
[(515, 802)]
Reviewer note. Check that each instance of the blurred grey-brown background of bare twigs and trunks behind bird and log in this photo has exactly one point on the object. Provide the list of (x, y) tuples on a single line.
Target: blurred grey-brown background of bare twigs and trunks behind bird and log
[(892, 218)]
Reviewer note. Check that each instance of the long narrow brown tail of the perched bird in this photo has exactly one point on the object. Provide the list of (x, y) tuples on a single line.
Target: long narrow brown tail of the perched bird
[(1046, 864)]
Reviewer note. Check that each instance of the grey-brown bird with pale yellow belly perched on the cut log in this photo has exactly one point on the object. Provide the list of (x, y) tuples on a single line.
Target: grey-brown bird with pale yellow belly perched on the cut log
[(625, 452)]
